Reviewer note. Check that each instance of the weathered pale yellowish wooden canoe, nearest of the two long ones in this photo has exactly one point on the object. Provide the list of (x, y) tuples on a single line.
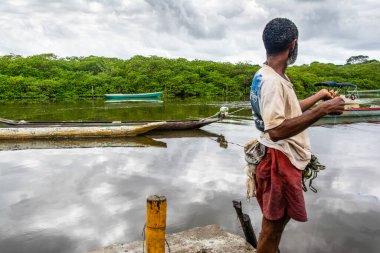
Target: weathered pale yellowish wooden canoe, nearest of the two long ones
[(99, 131)]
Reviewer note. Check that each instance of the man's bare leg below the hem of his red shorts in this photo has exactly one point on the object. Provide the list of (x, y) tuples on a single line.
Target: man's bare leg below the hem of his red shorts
[(270, 236)]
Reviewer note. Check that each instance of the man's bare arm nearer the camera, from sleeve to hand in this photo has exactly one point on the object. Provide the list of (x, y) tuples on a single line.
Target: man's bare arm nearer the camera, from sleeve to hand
[(291, 127)]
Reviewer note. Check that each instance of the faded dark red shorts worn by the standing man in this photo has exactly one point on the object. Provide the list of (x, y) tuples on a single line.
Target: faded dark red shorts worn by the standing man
[(279, 187)]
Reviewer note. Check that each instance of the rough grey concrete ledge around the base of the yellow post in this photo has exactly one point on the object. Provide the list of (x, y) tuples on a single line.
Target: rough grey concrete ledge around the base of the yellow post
[(208, 239)]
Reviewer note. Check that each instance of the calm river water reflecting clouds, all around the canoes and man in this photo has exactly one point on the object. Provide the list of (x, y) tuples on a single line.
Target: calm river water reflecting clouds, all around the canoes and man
[(79, 199)]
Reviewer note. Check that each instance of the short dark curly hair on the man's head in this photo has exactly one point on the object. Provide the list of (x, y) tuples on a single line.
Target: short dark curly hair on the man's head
[(278, 35)]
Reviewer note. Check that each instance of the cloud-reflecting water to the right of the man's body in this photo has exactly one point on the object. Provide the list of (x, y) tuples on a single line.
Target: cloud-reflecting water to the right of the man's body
[(344, 215)]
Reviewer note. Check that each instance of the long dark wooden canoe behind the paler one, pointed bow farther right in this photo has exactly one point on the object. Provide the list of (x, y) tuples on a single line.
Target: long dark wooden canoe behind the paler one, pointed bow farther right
[(168, 126)]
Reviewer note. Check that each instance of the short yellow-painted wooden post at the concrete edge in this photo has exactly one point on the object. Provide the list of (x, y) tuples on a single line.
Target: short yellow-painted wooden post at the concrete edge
[(155, 224)]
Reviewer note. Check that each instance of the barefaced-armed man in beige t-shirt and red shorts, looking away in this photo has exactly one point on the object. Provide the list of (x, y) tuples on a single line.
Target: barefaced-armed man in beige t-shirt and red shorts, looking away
[(279, 115)]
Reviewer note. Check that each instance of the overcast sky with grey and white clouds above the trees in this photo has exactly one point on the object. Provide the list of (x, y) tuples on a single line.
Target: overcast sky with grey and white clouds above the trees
[(228, 30)]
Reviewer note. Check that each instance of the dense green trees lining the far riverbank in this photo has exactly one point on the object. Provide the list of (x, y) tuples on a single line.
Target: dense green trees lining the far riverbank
[(48, 76)]
